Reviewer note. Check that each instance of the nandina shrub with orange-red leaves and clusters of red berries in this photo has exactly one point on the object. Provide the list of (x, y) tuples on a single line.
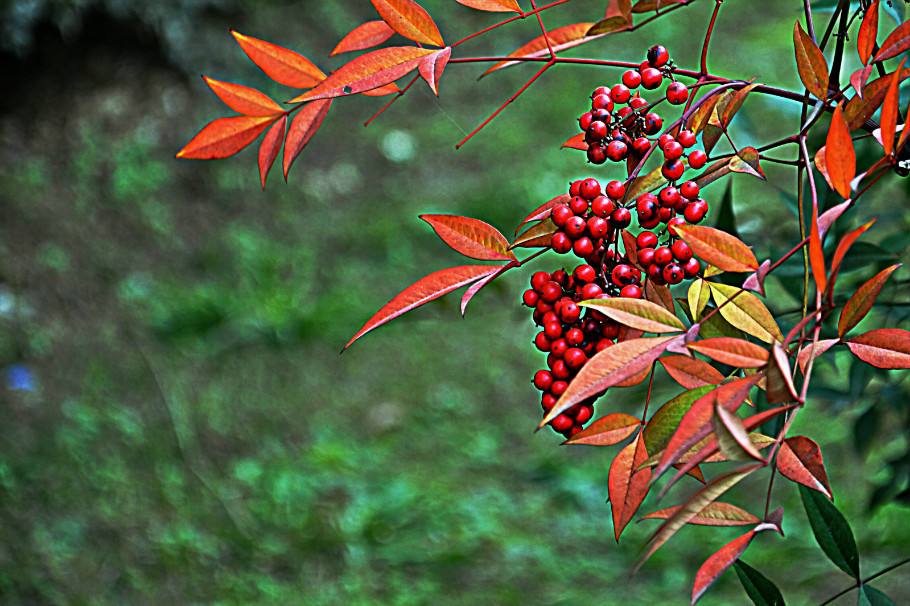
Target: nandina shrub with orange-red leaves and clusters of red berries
[(637, 289)]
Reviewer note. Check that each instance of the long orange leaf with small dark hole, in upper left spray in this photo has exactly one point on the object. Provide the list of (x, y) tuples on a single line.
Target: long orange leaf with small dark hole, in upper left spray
[(365, 72)]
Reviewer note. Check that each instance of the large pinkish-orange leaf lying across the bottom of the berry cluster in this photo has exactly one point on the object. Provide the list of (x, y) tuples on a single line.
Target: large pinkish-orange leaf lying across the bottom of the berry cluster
[(608, 368)]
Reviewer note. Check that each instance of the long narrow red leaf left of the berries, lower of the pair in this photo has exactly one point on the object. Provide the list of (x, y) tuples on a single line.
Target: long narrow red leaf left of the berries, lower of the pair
[(423, 291)]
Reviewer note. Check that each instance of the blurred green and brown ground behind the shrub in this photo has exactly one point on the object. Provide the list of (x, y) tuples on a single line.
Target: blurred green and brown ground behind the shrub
[(178, 425)]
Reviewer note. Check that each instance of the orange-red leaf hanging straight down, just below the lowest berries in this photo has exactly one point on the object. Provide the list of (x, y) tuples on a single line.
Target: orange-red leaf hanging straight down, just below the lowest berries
[(627, 485)]
